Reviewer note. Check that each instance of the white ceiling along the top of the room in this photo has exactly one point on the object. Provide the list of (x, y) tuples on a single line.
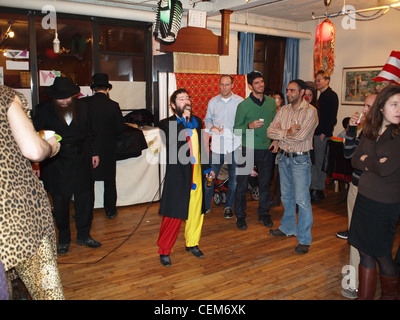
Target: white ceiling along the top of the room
[(293, 10)]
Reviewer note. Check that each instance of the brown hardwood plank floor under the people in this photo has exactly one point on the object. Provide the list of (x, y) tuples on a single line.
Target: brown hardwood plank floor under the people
[(238, 265)]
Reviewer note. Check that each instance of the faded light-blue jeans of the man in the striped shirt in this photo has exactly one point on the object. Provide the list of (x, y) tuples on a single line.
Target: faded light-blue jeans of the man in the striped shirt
[(295, 179)]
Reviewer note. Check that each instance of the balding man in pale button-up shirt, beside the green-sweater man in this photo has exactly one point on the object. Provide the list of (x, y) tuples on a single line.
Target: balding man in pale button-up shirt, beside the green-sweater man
[(219, 123)]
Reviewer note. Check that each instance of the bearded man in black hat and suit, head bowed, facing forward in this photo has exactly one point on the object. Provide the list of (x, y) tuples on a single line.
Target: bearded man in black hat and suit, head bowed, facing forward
[(69, 173)]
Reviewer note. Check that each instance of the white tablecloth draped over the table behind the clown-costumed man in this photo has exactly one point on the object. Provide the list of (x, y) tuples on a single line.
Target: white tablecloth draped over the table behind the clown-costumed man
[(137, 178)]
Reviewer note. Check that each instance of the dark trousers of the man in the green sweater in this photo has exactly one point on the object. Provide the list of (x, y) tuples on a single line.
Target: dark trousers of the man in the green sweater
[(263, 161)]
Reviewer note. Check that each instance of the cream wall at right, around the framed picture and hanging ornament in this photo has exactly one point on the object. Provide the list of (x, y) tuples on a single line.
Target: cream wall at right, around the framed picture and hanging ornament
[(369, 44)]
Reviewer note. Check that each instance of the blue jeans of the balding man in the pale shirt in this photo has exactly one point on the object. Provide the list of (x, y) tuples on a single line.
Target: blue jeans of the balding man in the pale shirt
[(217, 160)]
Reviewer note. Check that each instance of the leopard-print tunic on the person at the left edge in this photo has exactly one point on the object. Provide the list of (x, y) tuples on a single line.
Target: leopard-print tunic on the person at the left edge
[(25, 211)]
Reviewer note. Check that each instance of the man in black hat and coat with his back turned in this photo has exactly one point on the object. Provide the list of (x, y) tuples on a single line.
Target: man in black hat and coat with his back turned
[(107, 124)]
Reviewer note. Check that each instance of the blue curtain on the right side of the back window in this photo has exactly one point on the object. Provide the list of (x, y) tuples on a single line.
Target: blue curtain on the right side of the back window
[(291, 66)]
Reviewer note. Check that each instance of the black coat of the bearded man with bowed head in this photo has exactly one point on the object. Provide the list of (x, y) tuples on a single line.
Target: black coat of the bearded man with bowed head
[(70, 170)]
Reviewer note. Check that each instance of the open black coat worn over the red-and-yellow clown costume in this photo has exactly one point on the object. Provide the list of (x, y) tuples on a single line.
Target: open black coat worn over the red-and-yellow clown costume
[(178, 178)]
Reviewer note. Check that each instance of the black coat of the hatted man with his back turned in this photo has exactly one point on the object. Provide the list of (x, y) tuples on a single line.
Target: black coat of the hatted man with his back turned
[(107, 124)]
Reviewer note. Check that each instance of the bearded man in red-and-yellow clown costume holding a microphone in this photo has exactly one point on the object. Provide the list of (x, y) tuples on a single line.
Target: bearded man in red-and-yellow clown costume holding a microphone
[(182, 196)]
